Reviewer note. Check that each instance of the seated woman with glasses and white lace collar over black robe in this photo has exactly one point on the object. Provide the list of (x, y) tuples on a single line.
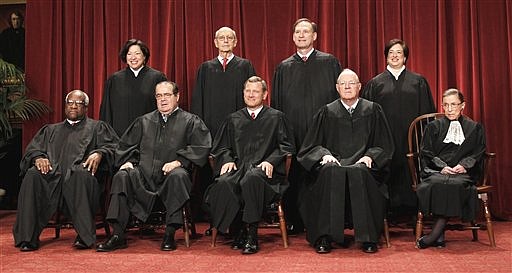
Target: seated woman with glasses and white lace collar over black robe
[(450, 154)]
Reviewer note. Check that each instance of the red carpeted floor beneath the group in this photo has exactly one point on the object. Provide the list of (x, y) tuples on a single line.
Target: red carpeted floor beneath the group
[(143, 254)]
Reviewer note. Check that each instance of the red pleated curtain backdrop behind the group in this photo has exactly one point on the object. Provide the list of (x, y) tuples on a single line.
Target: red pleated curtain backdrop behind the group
[(459, 43)]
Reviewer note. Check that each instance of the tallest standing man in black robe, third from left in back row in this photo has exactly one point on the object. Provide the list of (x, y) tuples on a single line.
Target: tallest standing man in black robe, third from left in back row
[(302, 84)]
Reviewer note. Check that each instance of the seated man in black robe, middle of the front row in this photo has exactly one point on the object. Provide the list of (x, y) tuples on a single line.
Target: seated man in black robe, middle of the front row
[(249, 150)]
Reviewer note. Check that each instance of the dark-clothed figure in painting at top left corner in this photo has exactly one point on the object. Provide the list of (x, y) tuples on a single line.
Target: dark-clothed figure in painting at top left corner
[(12, 41)]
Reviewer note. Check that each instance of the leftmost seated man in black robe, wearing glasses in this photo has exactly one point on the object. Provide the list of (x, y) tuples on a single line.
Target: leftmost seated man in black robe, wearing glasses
[(59, 168)]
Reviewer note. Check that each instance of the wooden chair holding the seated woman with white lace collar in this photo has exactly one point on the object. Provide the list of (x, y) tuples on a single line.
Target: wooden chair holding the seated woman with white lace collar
[(415, 135)]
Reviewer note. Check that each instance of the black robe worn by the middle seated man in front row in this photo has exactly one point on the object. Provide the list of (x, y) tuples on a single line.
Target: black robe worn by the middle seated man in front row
[(247, 143)]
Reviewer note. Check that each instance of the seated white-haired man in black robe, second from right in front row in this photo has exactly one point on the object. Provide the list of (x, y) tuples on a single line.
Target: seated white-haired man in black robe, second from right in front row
[(348, 149)]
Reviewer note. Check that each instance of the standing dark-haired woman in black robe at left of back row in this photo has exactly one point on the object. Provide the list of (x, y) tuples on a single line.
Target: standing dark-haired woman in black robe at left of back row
[(129, 93)]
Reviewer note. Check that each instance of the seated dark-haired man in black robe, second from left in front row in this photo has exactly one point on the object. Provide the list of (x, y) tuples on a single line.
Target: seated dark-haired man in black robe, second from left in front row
[(155, 157)]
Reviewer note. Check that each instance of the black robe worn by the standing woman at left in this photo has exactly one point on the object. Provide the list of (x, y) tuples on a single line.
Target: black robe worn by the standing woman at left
[(126, 97)]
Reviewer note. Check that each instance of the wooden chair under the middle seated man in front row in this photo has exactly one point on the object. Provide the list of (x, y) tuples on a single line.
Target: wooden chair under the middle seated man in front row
[(275, 208)]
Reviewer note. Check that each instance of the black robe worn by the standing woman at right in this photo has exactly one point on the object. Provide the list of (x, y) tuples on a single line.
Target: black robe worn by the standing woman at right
[(402, 100)]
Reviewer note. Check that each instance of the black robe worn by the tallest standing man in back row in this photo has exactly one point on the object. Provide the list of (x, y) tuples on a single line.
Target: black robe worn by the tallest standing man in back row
[(300, 88)]
